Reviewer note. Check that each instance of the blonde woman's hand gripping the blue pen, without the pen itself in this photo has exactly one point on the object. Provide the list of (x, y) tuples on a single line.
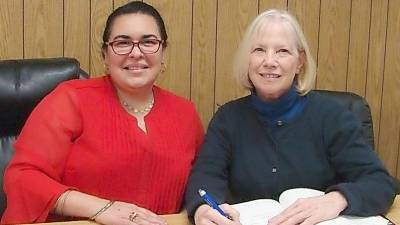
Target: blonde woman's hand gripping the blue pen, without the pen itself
[(205, 215)]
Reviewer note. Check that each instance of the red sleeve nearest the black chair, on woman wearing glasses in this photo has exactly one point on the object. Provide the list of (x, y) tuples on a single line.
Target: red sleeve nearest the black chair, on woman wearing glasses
[(32, 179)]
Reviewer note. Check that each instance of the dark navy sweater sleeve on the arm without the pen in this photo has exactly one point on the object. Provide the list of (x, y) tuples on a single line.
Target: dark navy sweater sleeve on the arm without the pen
[(365, 183)]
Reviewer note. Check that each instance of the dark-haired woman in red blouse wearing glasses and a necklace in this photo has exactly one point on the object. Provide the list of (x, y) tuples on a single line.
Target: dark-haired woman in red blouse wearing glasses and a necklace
[(115, 149)]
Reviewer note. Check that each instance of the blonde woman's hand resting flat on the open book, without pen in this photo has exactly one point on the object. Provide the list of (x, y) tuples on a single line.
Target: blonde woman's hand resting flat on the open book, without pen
[(310, 211)]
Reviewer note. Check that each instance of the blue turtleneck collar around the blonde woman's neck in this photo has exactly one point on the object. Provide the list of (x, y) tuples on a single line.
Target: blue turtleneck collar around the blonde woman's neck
[(282, 110)]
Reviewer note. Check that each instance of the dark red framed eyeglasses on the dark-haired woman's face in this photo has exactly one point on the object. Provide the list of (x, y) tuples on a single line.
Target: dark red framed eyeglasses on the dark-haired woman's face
[(146, 46)]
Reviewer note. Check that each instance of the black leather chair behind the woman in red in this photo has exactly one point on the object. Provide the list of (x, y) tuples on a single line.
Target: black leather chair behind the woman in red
[(23, 83)]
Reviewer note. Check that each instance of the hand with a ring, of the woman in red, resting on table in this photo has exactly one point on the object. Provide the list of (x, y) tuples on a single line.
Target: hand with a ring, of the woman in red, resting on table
[(122, 213)]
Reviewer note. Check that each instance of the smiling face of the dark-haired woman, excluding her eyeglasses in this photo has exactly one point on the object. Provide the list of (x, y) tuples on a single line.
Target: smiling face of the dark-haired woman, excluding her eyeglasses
[(134, 71)]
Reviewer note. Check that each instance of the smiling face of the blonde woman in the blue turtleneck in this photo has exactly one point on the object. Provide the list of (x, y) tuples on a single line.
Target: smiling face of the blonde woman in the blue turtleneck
[(274, 61)]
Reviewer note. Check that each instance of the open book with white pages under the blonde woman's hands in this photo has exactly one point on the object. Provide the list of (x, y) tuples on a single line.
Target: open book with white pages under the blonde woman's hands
[(258, 212)]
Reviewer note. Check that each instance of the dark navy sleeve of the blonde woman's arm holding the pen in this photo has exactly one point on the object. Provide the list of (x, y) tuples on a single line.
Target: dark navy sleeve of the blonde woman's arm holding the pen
[(210, 172)]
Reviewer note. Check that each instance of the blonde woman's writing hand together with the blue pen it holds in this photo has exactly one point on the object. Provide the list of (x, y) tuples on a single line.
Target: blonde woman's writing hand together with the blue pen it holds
[(206, 215)]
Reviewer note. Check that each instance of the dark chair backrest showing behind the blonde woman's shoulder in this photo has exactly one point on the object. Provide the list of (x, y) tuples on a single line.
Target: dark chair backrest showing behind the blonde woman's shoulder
[(356, 104)]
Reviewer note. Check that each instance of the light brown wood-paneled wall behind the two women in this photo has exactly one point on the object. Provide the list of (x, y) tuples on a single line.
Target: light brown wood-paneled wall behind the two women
[(355, 42)]
